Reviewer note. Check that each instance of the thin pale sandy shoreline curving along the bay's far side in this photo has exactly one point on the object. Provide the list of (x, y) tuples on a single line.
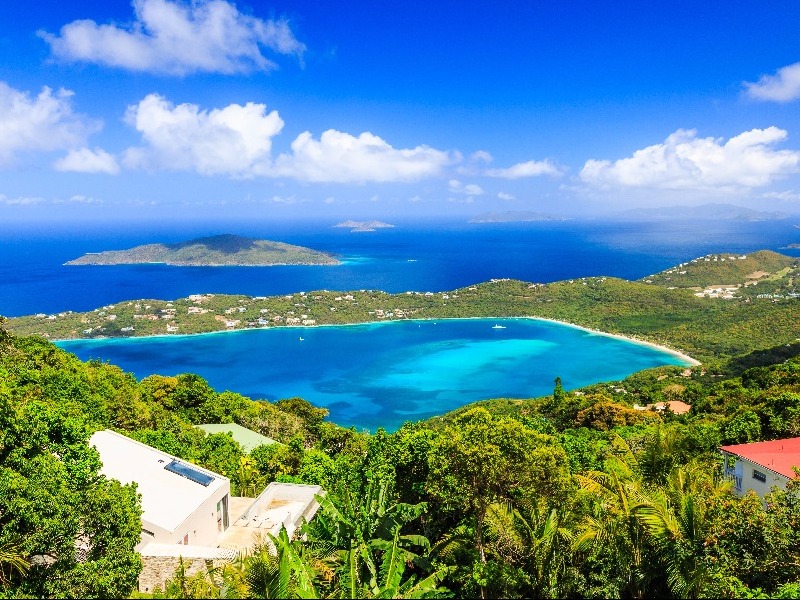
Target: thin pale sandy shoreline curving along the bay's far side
[(685, 357)]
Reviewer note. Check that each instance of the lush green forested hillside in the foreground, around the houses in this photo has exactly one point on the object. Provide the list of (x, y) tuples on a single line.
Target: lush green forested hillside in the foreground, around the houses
[(575, 494)]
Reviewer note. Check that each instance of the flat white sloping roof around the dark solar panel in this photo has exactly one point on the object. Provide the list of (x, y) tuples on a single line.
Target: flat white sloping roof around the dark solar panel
[(168, 498)]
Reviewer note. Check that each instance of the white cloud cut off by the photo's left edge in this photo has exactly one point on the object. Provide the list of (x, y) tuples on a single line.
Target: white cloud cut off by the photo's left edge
[(43, 123)]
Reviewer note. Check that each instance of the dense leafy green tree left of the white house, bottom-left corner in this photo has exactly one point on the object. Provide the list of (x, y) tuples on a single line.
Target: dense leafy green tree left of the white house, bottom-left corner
[(77, 529)]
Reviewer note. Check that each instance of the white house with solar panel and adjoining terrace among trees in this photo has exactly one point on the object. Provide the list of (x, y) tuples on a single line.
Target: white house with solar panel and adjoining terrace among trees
[(188, 513)]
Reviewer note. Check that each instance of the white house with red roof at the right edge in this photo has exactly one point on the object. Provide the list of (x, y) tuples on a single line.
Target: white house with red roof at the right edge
[(761, 466)]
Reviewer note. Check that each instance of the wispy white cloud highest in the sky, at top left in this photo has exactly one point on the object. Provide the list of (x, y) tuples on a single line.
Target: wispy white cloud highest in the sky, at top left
[(178, 38)]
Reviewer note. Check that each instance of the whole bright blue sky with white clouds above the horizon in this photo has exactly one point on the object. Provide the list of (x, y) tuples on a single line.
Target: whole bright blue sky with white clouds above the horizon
[(209, 109)]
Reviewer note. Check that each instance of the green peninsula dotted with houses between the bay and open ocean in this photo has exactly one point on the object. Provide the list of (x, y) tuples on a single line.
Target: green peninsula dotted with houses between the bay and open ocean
[(712, 306)]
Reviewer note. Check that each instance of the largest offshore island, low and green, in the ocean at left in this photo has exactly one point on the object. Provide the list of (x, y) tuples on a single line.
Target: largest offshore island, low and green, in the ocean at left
[(217, 250)]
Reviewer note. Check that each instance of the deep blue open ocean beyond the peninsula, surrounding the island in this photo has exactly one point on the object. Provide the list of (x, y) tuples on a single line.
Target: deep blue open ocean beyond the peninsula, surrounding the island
[(436, 256)]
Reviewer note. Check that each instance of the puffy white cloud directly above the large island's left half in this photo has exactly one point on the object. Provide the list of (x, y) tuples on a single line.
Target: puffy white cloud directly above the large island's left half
[(235, 140)]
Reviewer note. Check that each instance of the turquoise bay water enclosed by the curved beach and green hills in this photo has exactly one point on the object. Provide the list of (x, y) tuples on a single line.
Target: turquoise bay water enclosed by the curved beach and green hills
[(382, 374)]
